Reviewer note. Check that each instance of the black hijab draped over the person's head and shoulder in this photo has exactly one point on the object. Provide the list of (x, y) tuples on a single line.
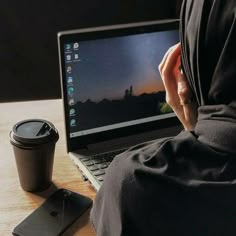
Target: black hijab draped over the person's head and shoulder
[(208, 38)]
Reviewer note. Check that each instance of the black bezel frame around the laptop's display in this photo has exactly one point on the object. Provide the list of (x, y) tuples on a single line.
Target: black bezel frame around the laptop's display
[(64, 37)]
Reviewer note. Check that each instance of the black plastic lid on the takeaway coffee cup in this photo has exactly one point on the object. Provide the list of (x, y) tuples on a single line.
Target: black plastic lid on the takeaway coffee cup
[(34, 131)]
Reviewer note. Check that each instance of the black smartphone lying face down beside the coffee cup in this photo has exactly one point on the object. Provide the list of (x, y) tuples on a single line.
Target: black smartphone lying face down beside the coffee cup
[(55, 215)]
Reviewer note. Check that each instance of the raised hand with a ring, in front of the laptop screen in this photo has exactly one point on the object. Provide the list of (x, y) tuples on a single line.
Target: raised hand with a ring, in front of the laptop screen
[(178, 93)]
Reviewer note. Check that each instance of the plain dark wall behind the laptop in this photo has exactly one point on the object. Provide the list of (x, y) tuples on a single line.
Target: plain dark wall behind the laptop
[(28, 39)]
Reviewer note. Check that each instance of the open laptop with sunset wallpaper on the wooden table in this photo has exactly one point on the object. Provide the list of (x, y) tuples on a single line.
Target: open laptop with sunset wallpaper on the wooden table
[(113, 95)]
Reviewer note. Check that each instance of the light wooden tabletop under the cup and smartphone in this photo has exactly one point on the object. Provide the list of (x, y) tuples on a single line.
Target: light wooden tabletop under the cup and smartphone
[(16, 204)]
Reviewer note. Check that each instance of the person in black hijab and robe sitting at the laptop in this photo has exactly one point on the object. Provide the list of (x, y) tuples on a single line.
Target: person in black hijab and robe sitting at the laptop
[(184, 185)]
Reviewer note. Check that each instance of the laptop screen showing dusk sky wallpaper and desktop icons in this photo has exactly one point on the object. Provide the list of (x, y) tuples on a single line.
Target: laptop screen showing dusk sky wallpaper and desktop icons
[(113, 82)]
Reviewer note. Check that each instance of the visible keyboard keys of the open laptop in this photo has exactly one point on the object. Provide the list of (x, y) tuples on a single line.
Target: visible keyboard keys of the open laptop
[(98, 164)]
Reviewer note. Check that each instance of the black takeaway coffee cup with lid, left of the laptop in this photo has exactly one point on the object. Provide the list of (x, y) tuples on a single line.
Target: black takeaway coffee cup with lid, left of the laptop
[(34, 145)]
